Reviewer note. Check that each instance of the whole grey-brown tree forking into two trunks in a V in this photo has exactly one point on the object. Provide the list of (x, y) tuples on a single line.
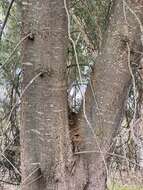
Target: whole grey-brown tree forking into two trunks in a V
[(61, 150)]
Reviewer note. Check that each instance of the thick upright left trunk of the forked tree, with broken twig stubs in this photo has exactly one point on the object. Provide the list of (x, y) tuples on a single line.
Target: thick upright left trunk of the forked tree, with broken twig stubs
[(44, 128)]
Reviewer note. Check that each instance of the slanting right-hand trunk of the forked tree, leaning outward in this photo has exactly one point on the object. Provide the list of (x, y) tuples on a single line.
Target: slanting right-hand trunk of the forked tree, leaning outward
[(101, 117)]
